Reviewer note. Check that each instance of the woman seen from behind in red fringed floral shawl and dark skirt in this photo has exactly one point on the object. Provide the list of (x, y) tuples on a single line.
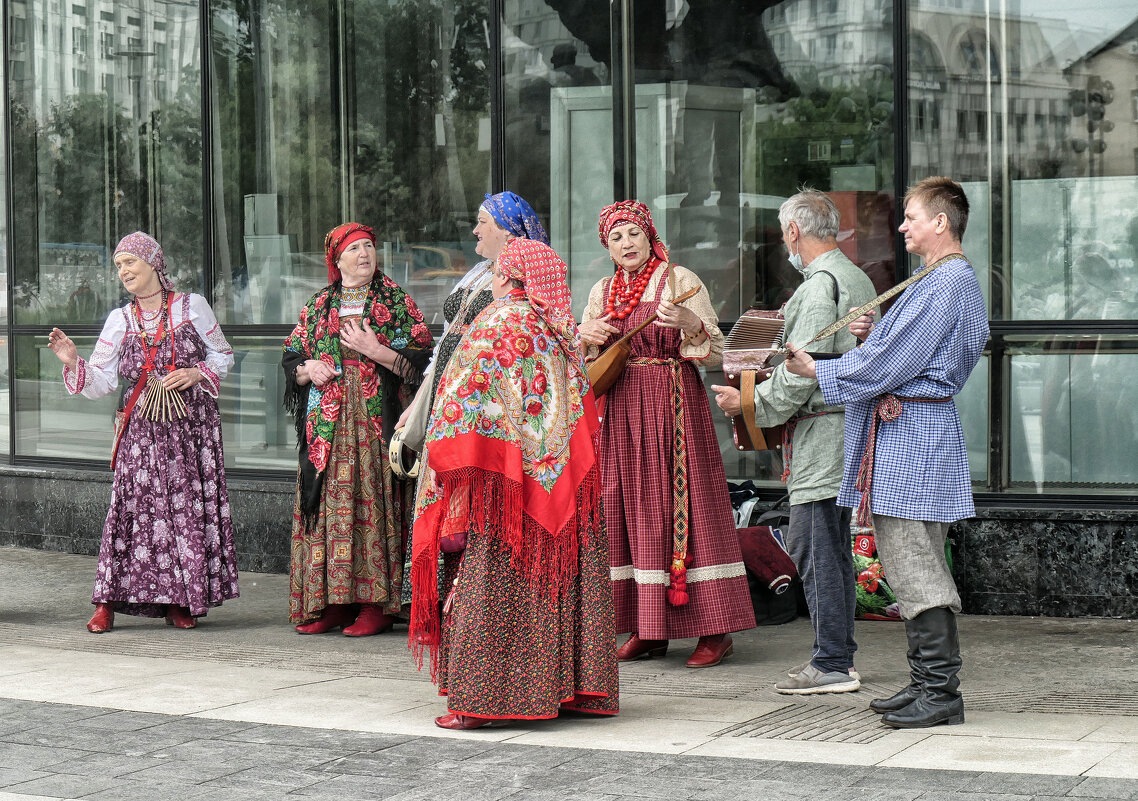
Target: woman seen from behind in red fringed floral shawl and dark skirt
[(510, 498)]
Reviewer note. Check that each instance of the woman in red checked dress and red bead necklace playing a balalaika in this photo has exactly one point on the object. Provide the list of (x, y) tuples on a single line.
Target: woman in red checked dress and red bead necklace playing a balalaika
[(677, 566)]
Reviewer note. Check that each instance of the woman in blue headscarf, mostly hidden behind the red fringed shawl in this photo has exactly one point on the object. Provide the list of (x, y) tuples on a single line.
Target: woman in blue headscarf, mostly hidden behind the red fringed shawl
[(501, 218)]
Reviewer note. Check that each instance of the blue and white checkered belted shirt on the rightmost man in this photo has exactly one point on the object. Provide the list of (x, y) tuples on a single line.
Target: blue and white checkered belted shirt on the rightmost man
[(925, 348)]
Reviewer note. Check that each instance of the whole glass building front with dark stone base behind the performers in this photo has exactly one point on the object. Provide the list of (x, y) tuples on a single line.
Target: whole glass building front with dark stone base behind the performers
[(240, 131)]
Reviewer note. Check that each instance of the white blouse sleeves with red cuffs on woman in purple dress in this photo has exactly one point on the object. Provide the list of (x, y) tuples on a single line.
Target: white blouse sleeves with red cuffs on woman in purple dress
[(98, 376)]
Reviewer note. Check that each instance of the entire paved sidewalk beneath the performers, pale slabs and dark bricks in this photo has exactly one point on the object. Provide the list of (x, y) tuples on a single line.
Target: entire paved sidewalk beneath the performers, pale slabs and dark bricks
[(243, 708)]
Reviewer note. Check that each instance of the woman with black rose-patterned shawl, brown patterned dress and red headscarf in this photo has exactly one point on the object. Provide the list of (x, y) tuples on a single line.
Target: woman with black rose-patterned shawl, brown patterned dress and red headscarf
[(352, 365)]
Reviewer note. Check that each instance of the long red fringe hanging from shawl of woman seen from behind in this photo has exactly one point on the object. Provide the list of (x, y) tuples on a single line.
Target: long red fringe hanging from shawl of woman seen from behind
[(488, 503)]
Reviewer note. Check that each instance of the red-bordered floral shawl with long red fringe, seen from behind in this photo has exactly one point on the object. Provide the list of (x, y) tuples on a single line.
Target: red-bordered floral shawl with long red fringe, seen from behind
[(512, 455)]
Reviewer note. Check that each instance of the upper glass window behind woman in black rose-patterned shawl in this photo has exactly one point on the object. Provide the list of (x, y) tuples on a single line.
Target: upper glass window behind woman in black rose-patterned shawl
[(357, 111)]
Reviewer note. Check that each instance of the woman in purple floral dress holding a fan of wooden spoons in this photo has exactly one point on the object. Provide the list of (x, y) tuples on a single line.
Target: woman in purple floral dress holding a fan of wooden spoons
[(168, 544)]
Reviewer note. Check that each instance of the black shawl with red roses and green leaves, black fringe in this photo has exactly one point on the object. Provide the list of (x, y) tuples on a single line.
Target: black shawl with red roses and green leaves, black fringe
[(398, 324)]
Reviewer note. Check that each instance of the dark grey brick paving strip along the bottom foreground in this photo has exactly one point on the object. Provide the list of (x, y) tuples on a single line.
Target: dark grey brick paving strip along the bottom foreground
[(62, 752)]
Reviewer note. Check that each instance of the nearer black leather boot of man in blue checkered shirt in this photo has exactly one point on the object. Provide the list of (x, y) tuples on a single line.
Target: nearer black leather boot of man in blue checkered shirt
[(941, 701)]
